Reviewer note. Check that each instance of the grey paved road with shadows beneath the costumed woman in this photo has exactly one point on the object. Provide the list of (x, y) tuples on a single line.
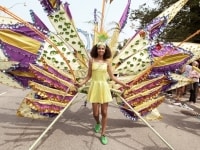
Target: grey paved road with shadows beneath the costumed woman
[(180, 127)]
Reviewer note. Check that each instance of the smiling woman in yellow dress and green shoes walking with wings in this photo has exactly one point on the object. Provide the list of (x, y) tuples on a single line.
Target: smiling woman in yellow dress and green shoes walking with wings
[(99, 92)]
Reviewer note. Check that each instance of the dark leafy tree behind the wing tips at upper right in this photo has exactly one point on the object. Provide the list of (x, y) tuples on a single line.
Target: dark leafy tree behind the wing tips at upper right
[(185, 23)]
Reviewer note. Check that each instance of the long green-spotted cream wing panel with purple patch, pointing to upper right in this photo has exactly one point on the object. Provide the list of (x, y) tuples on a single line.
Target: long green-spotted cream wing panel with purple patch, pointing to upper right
[(143, 38)]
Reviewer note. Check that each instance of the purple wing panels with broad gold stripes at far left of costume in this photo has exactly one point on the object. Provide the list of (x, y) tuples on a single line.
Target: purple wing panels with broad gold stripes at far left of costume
[(20, 44)]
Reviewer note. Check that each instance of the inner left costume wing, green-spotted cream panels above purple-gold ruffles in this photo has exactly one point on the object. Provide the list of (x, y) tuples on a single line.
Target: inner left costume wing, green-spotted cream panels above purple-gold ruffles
[(58, 69)]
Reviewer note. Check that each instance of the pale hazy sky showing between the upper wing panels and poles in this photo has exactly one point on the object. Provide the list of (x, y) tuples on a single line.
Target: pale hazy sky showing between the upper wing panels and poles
[(81, 10)]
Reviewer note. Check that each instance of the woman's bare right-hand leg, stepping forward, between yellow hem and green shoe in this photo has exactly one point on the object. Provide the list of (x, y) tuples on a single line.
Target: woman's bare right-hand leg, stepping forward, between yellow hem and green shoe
[(104, 108)]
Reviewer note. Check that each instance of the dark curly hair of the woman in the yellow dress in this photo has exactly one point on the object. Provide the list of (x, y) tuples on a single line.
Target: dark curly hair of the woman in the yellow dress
[(94, 53)]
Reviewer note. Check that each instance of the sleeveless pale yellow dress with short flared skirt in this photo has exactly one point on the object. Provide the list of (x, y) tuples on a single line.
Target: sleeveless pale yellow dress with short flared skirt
[(99, 91)]
